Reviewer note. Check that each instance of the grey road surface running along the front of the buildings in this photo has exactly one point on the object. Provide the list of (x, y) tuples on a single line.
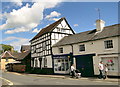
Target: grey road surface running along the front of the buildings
[(33, 80)]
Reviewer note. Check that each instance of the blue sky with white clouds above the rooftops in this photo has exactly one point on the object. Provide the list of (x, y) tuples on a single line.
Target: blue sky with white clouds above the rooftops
[(21, 21)]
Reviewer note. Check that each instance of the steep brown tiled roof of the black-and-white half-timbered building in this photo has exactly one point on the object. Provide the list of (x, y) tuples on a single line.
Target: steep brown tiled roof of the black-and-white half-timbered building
[(49, 28)]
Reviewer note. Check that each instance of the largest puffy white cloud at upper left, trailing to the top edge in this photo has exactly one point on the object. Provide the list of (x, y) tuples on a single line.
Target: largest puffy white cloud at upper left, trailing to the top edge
[(26, 18)]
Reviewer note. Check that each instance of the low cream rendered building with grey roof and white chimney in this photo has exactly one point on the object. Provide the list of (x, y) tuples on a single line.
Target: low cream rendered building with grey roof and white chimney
[(89, 48)]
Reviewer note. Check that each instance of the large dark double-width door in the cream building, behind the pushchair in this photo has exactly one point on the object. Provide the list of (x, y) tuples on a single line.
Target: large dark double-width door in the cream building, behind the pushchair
[(84, 63)]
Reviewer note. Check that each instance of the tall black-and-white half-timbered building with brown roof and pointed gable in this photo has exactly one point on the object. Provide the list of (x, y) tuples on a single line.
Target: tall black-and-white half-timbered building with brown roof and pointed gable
[(41, 44)]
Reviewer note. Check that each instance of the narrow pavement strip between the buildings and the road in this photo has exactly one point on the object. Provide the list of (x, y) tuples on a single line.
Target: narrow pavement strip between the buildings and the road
[(68, 77)]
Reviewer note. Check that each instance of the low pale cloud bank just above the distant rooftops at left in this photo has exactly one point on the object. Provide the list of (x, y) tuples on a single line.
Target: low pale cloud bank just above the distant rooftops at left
[(16, 42)]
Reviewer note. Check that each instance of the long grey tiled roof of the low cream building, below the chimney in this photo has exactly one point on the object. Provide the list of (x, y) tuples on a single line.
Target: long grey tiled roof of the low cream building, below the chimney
[(108, 31)]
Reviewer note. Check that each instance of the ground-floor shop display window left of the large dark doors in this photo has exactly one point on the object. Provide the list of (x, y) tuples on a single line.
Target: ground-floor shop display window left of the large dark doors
[(61, 64)]
